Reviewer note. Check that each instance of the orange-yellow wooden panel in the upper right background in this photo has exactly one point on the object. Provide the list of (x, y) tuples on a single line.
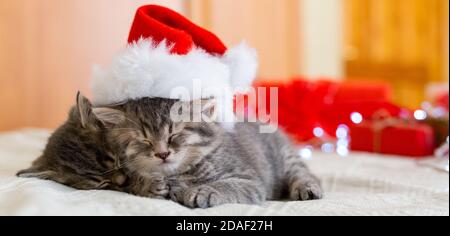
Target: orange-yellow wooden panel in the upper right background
[(402, 41)]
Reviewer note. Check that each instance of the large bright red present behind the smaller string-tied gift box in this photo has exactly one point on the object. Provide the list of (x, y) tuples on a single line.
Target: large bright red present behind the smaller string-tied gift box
[(304, 104)]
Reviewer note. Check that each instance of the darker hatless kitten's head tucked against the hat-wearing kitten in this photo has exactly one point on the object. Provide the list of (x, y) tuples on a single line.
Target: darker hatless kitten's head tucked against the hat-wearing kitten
[(76, 153)]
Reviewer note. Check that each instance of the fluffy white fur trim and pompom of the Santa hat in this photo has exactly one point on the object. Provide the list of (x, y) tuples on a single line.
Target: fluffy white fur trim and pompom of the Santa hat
[(146, 69)]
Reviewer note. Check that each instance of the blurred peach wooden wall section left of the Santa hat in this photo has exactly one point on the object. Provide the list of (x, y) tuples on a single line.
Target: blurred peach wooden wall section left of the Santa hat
[(47, 49)]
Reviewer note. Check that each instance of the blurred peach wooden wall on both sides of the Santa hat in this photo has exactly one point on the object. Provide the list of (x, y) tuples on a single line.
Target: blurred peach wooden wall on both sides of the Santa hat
[(47, 47)]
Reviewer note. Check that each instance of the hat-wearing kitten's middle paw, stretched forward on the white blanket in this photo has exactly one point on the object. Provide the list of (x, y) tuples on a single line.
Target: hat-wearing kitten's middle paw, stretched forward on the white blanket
[(202, 197)]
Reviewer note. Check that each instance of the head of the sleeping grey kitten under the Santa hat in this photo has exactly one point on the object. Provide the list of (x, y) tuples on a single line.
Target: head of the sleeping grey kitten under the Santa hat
[(150, 140)]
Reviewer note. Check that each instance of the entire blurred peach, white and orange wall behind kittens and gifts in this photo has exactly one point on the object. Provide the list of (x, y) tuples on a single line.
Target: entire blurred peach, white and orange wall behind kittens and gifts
[(48, 47)]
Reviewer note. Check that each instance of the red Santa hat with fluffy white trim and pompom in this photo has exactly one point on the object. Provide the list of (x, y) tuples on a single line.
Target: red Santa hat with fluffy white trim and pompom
[(167, 51)]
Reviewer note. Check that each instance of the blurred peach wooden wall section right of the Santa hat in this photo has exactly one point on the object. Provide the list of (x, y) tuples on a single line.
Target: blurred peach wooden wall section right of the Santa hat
[(271, 26)]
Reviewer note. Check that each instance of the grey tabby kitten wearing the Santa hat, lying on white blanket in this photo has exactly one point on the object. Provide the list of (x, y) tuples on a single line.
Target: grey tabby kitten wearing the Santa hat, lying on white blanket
[(201, 164)]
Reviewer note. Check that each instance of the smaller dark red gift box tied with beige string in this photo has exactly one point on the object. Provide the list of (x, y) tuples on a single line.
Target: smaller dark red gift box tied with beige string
[(391, 135)]
